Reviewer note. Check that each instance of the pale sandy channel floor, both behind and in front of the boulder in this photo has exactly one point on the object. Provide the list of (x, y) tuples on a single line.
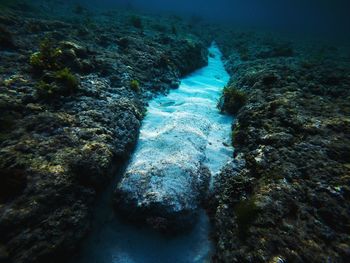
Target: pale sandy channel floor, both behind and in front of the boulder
[(114, 240)]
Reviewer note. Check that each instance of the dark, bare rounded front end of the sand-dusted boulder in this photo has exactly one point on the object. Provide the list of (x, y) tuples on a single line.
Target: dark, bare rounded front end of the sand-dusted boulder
[(165, 195)]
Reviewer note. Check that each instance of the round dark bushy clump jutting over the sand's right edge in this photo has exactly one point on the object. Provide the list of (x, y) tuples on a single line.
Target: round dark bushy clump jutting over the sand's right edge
[(232, 100)]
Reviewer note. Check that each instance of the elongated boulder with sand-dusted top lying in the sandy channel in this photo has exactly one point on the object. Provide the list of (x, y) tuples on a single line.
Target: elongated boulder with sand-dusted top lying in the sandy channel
[(166, 180)]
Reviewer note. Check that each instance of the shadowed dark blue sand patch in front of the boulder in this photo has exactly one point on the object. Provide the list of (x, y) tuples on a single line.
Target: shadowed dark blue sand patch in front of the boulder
[(118, 242)]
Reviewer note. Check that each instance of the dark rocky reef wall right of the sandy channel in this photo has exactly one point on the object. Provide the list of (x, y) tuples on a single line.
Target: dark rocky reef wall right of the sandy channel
[(288, 198)]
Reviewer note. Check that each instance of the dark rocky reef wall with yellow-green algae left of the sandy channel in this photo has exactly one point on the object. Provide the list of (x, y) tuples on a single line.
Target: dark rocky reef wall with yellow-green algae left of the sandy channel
[(72, 96)]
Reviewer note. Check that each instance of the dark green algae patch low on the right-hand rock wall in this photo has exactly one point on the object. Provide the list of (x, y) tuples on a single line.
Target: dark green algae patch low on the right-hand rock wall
[(246, 212)]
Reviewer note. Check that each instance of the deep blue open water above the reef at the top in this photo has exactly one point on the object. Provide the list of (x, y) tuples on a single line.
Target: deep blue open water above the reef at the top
[(303, 15)]
